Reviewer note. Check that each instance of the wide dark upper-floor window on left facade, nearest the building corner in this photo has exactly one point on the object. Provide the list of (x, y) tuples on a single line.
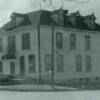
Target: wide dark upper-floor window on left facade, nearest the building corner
[(26, 41)]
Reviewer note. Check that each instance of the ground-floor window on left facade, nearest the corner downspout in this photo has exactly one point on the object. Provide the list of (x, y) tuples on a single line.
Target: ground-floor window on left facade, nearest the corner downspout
[(31, 64)]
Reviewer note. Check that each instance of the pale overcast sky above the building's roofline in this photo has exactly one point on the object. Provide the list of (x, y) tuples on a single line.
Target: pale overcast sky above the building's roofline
[(24, 6)]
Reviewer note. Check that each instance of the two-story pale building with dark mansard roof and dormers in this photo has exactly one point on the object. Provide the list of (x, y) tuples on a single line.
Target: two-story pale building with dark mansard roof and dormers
[(26, 45)]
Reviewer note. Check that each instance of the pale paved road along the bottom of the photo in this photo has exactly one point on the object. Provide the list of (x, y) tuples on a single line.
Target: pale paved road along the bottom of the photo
[(83, 95)]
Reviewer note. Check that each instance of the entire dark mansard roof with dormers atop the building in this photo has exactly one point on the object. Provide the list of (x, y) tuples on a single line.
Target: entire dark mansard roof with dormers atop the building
[(44, 17)]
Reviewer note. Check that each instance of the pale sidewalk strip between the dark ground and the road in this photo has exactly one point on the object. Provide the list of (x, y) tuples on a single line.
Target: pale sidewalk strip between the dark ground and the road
[(36, 88)]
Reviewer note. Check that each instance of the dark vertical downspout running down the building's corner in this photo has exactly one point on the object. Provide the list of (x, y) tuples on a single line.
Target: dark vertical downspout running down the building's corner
[(39, 54)]
